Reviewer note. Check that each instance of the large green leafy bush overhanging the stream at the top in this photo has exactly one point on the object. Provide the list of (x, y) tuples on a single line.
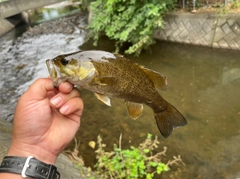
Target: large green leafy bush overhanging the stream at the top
[(132, 21)]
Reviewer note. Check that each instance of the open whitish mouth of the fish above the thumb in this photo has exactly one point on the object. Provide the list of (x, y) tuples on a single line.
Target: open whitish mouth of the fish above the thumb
[(54, 73)]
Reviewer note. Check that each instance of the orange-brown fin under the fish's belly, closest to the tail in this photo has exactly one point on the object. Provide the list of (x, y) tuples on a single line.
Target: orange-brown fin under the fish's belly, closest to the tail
[(134, 109)]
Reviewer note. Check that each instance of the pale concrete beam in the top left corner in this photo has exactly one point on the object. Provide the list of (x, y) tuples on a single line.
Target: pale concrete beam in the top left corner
[(12, 7)]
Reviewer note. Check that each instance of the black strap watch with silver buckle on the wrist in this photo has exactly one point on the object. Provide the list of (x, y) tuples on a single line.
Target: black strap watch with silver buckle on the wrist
[(29, 167)]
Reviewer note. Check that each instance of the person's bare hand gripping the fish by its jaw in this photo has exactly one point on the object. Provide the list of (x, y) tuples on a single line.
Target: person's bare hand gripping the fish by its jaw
[(46, 120)]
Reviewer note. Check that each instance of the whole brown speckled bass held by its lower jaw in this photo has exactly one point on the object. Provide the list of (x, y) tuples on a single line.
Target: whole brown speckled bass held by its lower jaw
[(110, 75)]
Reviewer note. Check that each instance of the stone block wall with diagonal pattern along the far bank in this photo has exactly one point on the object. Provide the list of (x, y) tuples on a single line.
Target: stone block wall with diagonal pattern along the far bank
[(212, 30)]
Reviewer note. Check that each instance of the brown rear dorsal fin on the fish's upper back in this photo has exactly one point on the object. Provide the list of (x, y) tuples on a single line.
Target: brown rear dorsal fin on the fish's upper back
[(159, 80)]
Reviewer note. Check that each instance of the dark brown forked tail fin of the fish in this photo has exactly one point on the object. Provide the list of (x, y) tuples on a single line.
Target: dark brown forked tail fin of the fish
[(169, 119)]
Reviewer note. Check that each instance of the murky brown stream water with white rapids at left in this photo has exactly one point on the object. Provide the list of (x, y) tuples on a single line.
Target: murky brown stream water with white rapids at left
[(203, 83)]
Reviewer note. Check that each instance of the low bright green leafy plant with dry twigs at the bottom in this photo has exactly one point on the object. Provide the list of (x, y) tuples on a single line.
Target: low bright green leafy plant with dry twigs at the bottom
[(132, 163)]
